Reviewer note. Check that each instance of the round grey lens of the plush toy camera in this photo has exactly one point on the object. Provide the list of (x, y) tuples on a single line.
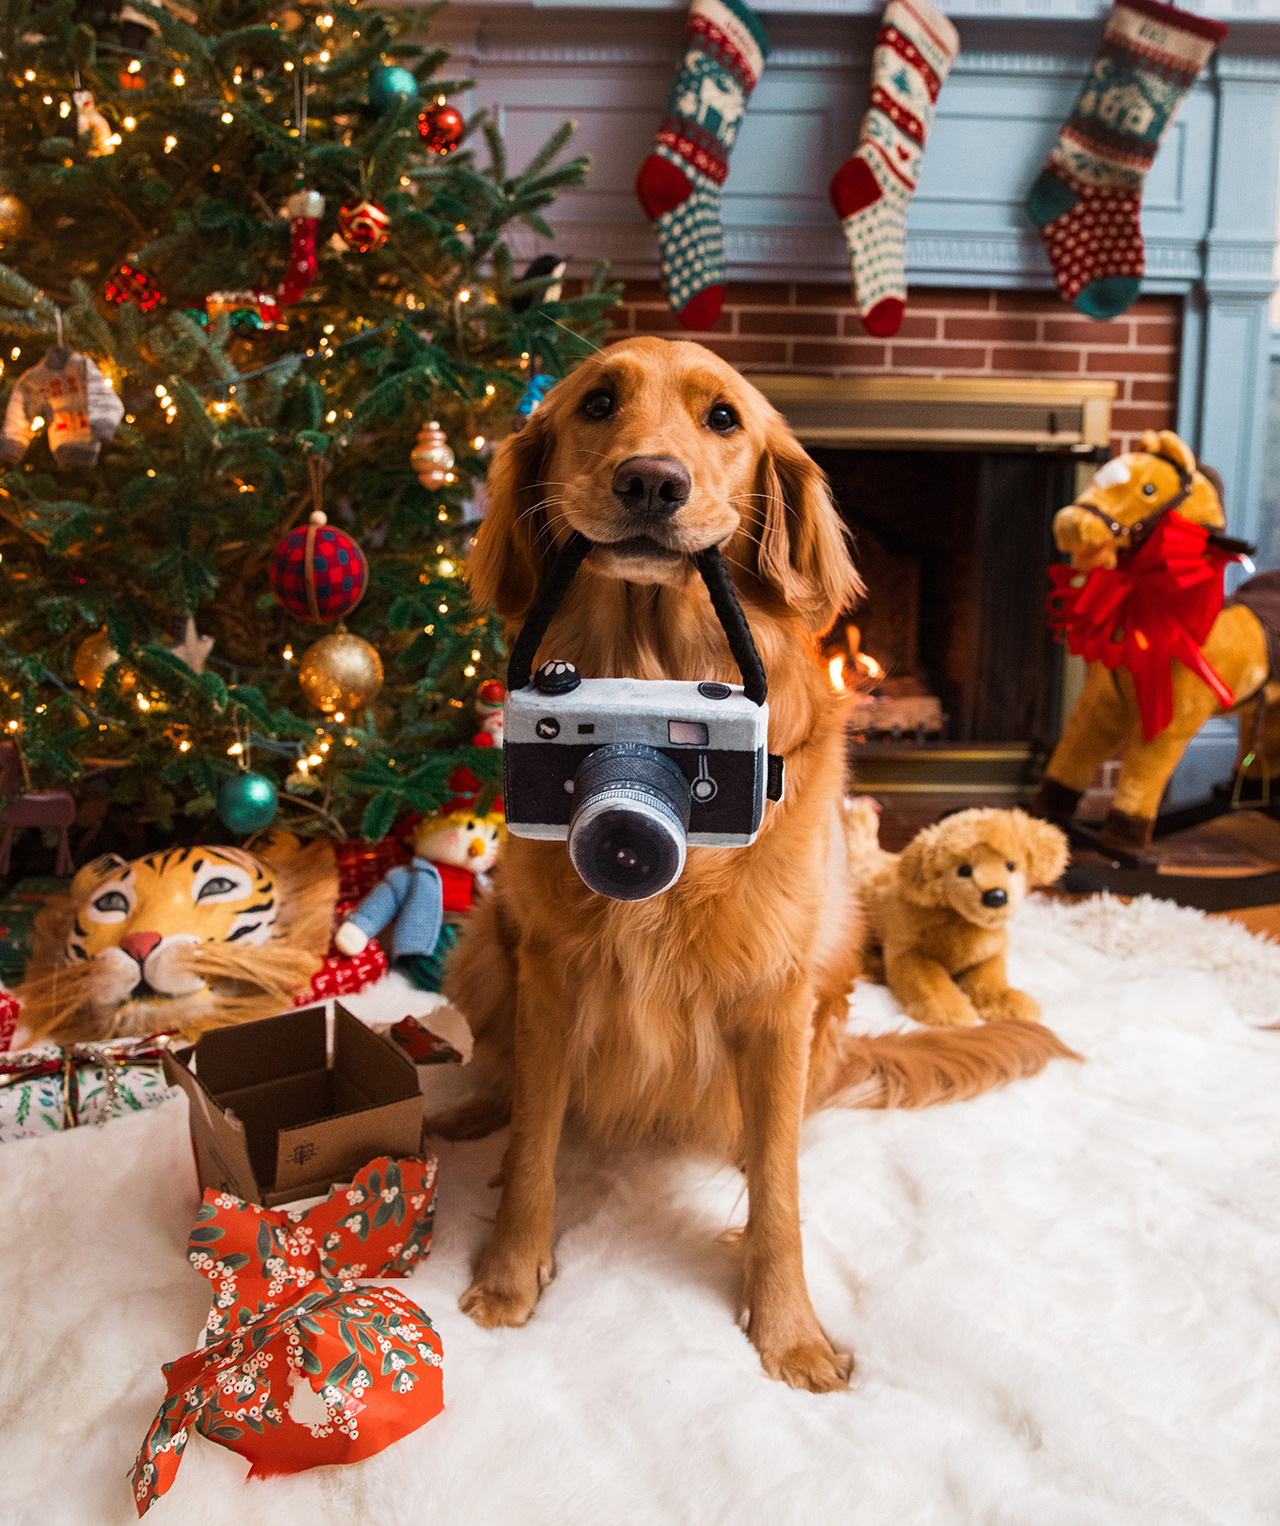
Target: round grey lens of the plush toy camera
[(631, 816)]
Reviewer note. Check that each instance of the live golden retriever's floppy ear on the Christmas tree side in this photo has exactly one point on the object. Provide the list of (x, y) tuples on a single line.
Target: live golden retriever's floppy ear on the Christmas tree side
[(512, 552)]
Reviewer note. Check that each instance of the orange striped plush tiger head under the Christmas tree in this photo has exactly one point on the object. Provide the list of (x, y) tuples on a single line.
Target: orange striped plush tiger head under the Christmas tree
[(185, 939)]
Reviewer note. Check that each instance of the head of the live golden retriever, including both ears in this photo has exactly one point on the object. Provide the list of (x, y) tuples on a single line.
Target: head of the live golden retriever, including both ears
[(657, 451)]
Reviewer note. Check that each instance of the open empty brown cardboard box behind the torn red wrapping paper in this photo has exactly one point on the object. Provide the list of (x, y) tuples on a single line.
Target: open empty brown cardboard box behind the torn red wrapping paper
[(275, 1118)]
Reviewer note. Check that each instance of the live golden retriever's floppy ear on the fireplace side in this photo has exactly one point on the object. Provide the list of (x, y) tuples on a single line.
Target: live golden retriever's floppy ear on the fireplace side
[(803, 552)]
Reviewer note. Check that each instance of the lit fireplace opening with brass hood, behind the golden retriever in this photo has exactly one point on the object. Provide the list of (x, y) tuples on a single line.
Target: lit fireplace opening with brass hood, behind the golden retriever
[(950, 488)]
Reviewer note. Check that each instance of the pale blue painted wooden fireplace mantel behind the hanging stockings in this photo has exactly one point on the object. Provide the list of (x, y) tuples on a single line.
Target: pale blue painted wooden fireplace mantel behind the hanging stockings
[(1209, 210)]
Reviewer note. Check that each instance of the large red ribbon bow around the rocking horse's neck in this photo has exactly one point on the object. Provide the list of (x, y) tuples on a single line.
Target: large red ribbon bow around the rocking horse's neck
[(1160, 604)]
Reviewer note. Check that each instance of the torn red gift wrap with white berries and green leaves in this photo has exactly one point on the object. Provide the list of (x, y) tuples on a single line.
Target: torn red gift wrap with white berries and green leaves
[(304, 1368)]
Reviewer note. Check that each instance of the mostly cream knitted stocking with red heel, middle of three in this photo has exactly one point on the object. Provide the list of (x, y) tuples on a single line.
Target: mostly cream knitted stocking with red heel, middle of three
[(870, 192)]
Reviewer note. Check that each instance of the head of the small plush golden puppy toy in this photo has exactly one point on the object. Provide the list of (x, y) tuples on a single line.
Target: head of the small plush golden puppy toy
[(982, 864)]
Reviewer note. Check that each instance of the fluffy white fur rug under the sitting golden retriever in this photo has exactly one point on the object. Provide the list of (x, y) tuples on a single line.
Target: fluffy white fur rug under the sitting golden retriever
[(1064, 1298)]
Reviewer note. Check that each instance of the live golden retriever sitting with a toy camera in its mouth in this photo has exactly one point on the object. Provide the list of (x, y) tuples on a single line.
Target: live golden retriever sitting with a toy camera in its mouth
[(710, 1014)]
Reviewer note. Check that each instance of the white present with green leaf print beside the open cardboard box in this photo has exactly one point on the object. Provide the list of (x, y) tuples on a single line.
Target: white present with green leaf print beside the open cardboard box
[(50, 1089)]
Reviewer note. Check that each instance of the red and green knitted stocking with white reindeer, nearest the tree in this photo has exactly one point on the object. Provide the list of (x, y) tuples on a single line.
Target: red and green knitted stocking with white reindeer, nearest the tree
[(680, 182)]
